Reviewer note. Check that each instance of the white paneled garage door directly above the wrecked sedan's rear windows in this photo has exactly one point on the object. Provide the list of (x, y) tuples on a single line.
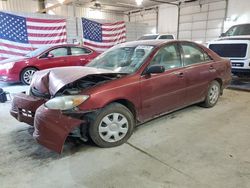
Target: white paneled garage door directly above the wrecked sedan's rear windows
[(202, 22)]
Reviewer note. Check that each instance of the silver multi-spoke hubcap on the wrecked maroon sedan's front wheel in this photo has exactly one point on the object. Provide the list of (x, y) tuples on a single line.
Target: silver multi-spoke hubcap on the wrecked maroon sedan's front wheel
[(113, 127)]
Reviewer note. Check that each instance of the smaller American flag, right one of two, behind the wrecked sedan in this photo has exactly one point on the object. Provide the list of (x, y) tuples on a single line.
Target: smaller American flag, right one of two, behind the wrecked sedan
[(103, 36)]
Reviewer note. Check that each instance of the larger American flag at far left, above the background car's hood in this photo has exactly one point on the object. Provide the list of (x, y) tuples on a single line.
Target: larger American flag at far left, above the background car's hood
[(20, 35)]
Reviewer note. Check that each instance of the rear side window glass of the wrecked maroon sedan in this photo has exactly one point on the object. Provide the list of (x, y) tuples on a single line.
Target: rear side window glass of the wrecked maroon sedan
[(193, 54)]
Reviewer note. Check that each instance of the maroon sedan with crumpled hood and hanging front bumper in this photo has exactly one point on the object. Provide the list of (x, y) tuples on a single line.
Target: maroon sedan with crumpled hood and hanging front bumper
[(127, 85)]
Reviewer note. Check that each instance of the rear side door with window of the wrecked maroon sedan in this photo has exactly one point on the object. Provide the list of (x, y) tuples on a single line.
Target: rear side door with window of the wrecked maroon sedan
[(199, 71)]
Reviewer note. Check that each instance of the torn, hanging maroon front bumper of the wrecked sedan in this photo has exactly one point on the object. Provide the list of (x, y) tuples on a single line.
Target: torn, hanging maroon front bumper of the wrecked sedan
[(51, 126)]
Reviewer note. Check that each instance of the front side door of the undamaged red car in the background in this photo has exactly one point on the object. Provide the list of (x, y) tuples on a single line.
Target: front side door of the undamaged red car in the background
[(56, 57)]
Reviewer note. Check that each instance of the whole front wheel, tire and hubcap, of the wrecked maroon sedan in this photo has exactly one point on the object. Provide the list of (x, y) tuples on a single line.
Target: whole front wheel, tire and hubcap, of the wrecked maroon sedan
[(112, 126)]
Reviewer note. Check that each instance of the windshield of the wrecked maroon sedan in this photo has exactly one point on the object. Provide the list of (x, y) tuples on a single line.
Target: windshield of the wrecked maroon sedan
[(122, 59)]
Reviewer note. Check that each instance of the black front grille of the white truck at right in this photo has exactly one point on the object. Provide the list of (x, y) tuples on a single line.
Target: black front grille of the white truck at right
[(229, 50)]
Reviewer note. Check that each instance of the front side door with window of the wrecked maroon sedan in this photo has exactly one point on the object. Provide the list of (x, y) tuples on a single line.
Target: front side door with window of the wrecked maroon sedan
[(164, 91)]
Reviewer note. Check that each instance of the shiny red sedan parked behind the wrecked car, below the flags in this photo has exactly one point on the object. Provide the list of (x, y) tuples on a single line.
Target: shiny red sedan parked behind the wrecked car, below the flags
[(22, 69)]
